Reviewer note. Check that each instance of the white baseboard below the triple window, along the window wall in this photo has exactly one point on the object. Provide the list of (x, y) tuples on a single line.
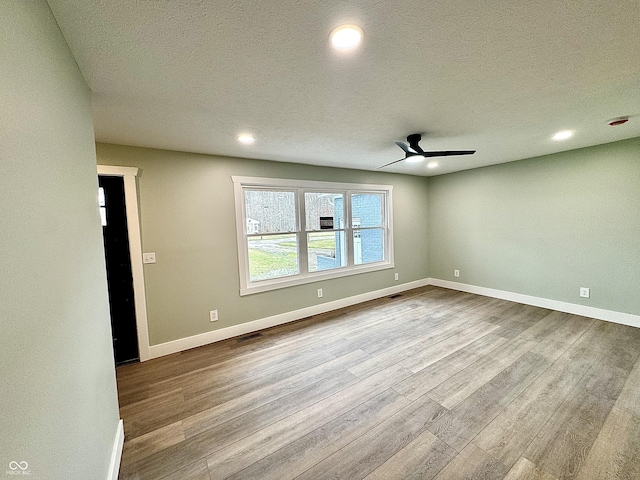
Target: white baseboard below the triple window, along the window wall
[(267, 322)]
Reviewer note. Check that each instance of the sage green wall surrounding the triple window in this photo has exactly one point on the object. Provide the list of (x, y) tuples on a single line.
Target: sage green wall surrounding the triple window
[(188, 218)]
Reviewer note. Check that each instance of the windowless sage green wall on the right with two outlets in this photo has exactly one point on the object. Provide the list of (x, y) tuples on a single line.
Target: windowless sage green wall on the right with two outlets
[(544, 226)]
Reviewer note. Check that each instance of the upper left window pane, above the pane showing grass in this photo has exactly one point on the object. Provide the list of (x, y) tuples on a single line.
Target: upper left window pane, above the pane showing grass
[(269, 211)]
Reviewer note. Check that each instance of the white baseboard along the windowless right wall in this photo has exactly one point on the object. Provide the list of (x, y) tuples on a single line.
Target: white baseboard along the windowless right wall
[(583, 310)]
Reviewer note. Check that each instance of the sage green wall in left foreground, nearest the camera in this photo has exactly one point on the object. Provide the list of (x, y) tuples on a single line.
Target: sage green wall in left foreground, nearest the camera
[(58, 395)]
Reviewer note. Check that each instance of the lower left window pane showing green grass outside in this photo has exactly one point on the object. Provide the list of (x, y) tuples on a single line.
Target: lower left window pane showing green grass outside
[(272, 256)]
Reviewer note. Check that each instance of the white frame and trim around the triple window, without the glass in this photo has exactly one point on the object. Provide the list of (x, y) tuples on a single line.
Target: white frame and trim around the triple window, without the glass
[(302, 186)]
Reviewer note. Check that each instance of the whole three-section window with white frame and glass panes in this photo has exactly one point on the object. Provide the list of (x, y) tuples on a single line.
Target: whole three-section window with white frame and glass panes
[(292, 232)]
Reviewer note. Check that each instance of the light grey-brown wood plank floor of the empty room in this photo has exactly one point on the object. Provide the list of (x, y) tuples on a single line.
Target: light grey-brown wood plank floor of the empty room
[(432, 384)]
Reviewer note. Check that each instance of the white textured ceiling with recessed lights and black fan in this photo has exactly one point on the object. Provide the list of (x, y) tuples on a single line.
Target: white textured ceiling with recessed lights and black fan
[(498, 76)]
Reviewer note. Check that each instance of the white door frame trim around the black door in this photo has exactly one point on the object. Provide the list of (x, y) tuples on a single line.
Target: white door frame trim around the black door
[(129, 176)]
